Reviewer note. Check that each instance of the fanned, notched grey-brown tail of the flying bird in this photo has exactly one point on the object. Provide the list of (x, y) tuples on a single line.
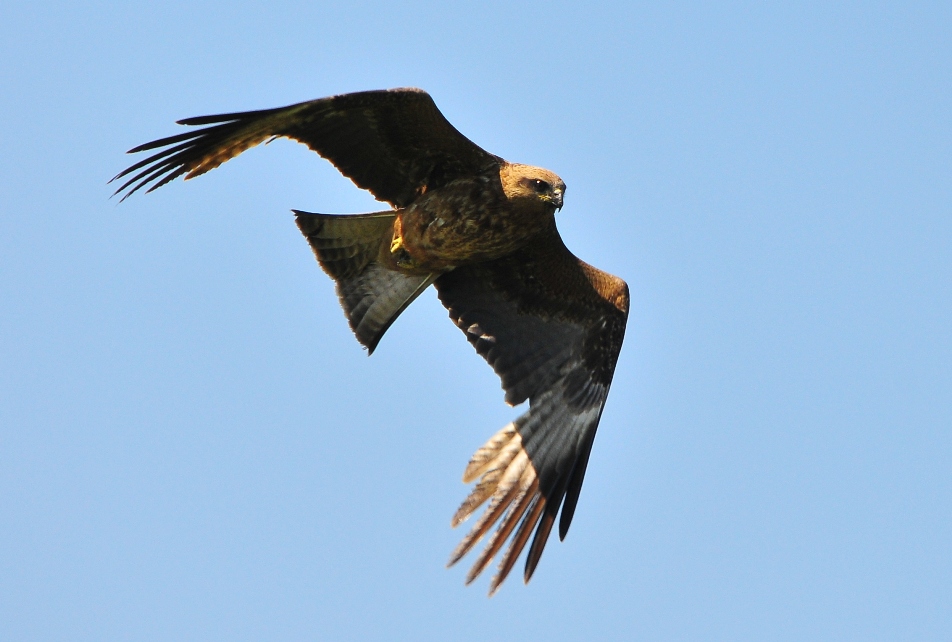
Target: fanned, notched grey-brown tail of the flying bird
[(348, 247)]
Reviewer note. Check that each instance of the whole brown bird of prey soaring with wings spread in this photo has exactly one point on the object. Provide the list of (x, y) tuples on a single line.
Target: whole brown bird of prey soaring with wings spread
[(482, 231)]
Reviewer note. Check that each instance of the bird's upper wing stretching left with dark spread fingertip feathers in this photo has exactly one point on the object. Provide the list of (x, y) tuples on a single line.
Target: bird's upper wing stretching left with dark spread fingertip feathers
[(394, 143)]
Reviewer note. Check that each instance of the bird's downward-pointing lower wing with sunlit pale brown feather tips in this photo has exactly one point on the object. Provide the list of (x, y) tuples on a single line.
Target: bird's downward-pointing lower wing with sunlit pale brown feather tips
[(551, 326)]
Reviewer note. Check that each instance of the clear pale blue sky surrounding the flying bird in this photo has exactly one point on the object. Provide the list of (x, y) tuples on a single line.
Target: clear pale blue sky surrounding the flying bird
[(194, 447)]
